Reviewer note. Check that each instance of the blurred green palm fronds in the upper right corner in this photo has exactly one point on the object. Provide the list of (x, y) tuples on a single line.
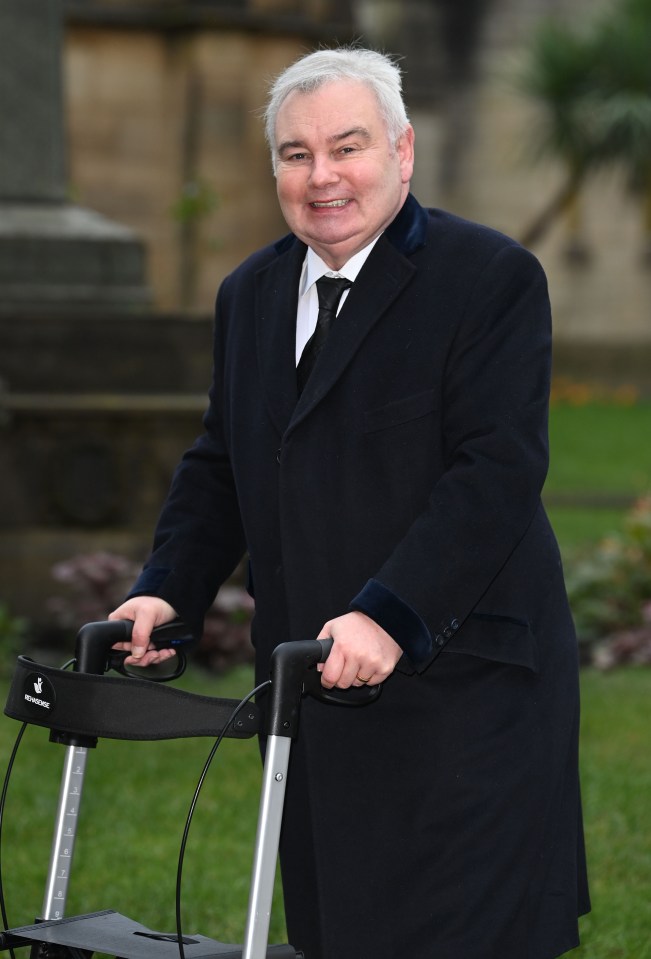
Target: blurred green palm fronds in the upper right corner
[(595, 92)]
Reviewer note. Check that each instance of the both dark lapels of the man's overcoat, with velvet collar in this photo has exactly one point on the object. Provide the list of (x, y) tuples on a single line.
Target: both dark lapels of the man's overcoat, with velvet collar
[(383, 277)]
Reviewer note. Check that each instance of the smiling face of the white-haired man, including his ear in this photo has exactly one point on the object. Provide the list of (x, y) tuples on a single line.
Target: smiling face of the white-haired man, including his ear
[(340, 180)]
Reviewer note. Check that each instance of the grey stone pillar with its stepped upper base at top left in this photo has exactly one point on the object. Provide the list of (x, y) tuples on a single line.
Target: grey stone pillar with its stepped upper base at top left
[(53, 255)]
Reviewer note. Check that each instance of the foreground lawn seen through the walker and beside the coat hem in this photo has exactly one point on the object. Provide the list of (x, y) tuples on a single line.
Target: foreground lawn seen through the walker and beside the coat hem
[(137, 796)]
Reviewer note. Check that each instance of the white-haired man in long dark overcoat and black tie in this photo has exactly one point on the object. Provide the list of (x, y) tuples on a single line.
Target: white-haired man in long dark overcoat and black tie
[(390, 498)]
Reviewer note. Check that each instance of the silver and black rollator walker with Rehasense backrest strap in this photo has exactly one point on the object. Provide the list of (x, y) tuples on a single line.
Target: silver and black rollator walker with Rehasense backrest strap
[(83, 705)]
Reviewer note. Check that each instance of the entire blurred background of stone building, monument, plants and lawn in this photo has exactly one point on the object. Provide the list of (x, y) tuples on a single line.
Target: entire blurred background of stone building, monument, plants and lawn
[(133, 178)]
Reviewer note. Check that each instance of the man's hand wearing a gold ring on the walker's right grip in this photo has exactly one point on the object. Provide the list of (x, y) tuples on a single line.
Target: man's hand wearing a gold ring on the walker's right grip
[(363, 653)]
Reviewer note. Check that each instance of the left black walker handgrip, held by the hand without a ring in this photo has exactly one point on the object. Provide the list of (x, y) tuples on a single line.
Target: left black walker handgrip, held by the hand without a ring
[(95, 642)]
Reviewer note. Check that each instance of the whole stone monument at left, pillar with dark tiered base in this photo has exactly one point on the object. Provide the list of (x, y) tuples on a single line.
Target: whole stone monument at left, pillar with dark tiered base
[(73, 297)]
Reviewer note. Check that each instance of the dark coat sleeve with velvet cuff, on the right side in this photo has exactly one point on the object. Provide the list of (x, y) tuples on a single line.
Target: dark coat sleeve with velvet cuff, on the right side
[(495, 410)]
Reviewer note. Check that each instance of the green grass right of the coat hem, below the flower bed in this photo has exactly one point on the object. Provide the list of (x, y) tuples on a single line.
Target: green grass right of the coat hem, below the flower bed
[(616, 782)]
